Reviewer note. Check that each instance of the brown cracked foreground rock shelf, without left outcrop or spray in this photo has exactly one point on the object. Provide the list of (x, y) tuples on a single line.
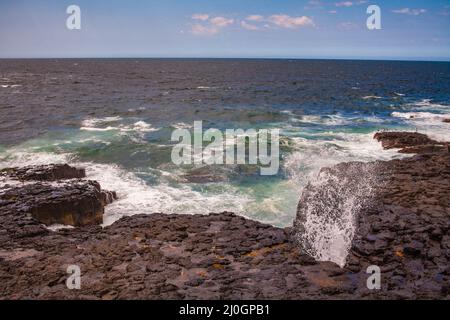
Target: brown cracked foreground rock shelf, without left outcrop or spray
[(403, 229)]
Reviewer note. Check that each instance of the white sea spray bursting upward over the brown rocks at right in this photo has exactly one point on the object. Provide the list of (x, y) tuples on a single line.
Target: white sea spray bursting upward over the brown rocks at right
[(329, 208)]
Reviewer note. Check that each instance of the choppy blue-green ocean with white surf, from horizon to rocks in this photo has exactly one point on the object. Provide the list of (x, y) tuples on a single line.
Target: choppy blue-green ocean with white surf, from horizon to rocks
[(115, 118)]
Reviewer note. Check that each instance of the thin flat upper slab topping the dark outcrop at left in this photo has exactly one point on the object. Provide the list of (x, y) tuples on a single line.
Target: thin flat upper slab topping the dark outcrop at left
[(50, 172)]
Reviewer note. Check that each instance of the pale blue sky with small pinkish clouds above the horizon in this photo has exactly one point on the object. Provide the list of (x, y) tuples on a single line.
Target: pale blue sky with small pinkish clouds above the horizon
[(411, 30)]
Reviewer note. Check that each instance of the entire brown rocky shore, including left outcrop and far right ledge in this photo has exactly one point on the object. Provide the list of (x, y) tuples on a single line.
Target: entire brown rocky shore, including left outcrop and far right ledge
[(400, 211)]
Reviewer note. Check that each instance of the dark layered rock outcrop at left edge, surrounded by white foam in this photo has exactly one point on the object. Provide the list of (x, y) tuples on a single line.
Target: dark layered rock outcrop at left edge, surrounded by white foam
[(68, 202)]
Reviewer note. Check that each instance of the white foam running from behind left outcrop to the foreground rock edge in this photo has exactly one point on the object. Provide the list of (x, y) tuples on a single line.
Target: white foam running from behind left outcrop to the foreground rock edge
[(135, 196)]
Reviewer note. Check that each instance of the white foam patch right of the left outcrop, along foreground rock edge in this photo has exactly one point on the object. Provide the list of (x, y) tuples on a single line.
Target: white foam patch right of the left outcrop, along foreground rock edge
[(136, 197)]
